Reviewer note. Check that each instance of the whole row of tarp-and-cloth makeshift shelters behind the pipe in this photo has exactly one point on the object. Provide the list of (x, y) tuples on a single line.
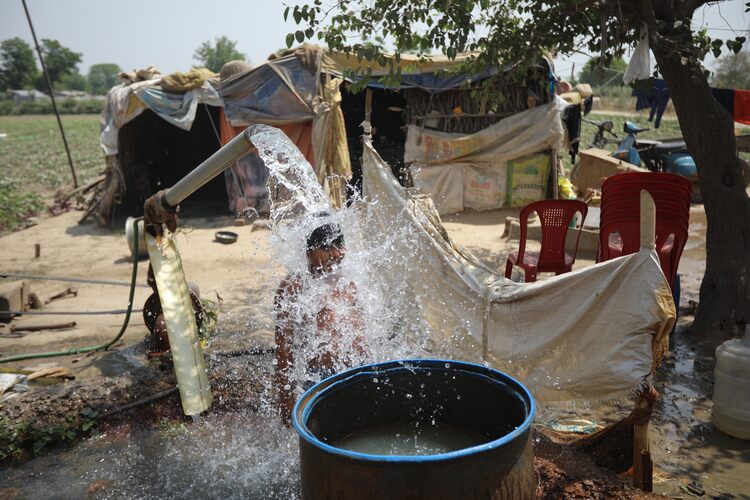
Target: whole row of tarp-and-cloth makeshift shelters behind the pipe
[(501, 153)]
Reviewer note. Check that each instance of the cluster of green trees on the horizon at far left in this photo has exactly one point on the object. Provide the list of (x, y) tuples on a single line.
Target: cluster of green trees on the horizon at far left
[(19, 69)]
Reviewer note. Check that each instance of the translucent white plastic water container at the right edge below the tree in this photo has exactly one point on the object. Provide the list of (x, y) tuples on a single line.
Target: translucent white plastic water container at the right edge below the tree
[(731, 412)]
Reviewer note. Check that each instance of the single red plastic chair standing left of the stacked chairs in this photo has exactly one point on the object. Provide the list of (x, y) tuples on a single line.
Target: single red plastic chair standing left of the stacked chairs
[(555, 217)]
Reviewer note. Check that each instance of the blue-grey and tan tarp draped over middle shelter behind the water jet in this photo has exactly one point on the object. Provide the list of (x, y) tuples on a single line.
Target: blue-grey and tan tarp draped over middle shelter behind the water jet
[(288, 92)]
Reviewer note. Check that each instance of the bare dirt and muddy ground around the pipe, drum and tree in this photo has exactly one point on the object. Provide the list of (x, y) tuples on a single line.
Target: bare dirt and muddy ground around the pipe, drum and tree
[(690, 456)]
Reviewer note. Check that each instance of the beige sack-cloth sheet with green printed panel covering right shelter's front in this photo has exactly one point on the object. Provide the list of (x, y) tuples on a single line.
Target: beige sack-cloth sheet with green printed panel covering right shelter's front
[(472, 171)]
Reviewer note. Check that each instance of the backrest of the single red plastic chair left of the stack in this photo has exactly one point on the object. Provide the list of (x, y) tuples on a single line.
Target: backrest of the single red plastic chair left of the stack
[(555, 217)]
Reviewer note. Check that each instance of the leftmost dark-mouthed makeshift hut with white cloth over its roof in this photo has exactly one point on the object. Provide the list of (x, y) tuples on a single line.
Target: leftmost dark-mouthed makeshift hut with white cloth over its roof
[(154, 131)]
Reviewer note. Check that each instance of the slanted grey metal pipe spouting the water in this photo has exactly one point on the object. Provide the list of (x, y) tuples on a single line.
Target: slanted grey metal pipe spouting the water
[(213, 166)]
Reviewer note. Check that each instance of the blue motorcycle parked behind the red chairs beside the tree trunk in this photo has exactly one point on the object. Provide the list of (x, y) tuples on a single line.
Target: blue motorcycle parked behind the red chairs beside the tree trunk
[(669, 155)]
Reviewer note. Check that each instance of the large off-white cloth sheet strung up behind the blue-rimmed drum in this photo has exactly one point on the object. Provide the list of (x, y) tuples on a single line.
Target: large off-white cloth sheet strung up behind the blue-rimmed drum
[(592, 334)]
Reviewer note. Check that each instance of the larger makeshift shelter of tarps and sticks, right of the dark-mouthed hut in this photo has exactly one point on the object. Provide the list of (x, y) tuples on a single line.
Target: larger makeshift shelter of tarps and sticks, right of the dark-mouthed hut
[(432, 110)]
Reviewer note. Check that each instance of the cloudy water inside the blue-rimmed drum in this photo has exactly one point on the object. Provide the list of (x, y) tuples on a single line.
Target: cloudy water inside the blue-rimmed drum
[(410, 439)]
